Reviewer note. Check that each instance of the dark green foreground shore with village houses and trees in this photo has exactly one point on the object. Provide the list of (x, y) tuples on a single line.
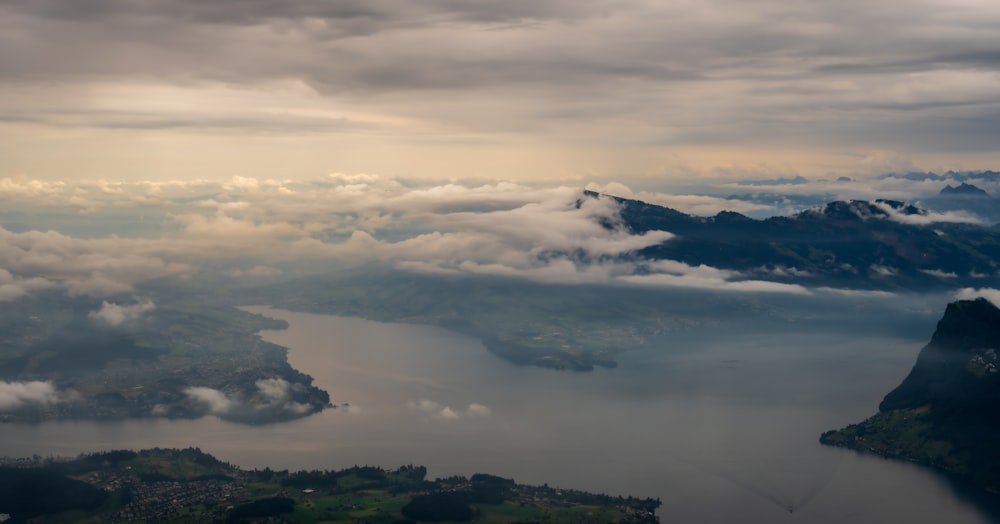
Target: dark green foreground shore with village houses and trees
[(190, 486)]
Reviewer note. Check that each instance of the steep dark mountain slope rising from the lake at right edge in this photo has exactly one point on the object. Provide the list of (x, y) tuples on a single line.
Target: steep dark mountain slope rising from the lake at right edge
[(946, 412)]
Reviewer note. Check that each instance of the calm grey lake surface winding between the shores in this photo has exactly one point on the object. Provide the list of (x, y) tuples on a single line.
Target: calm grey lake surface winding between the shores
[(721, 424)]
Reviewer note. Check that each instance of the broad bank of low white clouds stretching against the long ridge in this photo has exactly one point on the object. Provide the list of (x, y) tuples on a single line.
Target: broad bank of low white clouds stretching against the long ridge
[(249, 228)]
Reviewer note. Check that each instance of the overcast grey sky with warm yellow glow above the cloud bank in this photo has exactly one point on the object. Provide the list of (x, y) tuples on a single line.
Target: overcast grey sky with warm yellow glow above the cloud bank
[(563, 91)]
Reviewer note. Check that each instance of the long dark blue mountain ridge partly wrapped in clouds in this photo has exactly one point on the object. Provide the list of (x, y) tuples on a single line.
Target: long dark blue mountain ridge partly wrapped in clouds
[(882, 244)]
